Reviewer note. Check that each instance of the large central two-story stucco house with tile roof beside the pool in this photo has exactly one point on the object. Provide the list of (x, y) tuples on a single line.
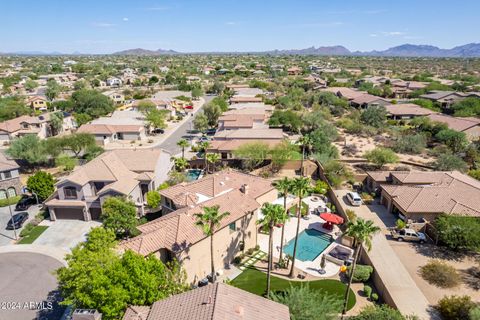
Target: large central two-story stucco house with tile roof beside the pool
[(176, 236)]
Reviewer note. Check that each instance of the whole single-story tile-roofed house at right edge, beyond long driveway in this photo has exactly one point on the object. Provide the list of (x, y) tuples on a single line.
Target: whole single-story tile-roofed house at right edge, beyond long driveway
[(425, 195)]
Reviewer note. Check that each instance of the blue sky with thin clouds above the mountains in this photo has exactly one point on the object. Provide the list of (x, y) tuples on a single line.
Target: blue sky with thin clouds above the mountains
[(105, 26)]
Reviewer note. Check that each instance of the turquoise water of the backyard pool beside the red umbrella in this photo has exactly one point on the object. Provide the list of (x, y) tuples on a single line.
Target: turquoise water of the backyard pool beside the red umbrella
[(310, 244)]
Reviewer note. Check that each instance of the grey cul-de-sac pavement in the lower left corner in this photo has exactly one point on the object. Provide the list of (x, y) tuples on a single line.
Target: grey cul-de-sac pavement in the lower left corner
[(28, 287)]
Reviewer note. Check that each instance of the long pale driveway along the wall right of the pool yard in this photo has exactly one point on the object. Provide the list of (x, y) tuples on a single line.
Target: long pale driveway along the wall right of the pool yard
[(406, 295)]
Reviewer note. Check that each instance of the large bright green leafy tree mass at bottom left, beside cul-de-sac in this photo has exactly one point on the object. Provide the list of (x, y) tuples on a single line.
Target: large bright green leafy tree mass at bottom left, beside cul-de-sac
[(97, 277)]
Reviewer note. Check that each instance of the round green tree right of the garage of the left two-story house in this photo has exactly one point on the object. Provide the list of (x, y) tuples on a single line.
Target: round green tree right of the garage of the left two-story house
[(119, 215)]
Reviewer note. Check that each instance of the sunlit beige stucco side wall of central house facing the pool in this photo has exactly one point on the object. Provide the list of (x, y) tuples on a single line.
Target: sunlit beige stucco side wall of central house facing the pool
[(226, 245)]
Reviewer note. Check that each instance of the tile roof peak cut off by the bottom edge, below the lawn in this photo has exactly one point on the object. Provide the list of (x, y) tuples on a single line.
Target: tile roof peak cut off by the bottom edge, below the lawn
[(217, 301)]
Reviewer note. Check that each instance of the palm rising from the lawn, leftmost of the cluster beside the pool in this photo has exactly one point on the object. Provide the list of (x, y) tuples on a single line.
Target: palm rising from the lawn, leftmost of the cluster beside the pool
[(272, 215)]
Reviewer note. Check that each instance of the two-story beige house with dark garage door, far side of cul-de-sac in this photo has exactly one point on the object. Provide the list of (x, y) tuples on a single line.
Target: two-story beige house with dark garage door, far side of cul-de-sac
[(128, 173)]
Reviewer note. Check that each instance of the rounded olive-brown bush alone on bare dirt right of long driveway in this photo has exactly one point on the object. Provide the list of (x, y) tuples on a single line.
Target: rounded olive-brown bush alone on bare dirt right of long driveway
[(440, 274)]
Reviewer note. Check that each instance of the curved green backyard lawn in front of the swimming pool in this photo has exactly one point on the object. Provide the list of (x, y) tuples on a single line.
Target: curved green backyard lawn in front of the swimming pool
[(254, 281)]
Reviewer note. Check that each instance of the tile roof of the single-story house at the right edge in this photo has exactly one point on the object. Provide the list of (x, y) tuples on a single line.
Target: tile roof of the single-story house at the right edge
[(436, 192)]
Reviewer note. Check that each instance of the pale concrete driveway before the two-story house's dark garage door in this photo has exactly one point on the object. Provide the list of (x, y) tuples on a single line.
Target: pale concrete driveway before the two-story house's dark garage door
[(65, 234)]
